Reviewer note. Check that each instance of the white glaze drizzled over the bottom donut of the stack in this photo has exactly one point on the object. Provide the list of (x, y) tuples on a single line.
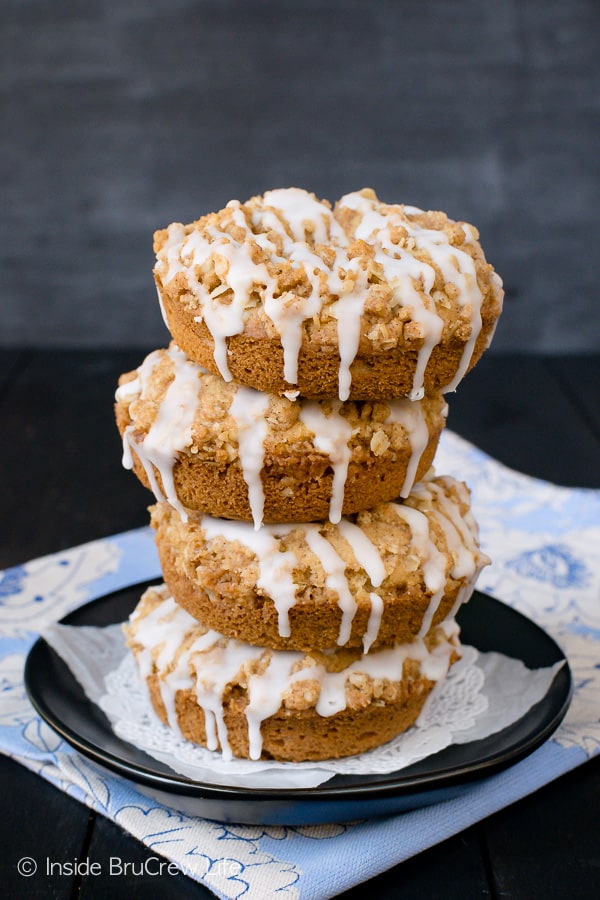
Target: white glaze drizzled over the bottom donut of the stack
[(212, 662)]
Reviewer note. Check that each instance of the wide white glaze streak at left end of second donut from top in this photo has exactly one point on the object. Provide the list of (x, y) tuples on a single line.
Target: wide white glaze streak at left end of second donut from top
[(171, 430)]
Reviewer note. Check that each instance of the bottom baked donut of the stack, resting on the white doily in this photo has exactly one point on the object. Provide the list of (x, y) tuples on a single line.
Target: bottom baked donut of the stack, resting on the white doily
[(251, 702)]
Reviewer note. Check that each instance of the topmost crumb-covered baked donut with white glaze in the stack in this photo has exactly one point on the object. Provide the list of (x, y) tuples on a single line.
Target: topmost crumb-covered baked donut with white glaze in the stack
[(365, 301)]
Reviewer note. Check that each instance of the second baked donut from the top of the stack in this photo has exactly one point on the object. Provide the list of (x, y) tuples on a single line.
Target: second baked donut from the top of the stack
[(233, 452)]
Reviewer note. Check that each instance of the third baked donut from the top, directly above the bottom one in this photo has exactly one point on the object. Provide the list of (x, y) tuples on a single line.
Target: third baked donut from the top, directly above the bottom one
[(384, 576)]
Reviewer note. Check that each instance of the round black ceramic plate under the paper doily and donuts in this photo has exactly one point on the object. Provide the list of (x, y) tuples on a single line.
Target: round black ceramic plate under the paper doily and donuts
[(486, 624)]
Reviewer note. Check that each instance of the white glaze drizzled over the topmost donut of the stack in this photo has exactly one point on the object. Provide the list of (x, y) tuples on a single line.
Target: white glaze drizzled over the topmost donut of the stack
[(294, 214)]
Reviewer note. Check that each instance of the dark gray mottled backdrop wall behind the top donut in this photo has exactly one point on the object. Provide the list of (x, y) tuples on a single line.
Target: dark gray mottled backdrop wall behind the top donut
[(120, 117)]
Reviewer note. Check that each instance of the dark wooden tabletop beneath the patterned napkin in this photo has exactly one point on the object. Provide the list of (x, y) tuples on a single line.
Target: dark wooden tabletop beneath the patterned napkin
[(61, 483)]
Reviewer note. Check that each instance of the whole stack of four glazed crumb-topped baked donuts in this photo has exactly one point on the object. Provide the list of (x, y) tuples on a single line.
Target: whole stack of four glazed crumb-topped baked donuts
[(313, 561)]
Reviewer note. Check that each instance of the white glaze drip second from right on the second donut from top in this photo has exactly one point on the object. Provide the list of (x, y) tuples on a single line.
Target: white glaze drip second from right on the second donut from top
[(332, 433)]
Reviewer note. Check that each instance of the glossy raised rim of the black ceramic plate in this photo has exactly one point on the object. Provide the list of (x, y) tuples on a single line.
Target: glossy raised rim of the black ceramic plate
[(393, 784)]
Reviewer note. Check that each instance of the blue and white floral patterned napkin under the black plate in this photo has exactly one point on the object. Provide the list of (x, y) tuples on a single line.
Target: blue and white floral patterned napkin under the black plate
[(544, 542)]
